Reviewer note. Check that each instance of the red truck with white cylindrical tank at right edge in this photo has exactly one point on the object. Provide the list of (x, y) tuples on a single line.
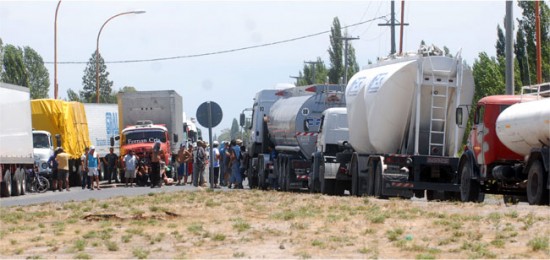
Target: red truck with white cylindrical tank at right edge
[(508, 148)]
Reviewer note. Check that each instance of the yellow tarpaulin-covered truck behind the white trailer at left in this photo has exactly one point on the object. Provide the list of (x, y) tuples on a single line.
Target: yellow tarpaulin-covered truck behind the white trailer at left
[(65, 120)]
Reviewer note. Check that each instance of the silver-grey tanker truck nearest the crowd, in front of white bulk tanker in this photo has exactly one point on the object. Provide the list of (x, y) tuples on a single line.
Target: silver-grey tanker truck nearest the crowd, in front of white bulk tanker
[(289, 127)]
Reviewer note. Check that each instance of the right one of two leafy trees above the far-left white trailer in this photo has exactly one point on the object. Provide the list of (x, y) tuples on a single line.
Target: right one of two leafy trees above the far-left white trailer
[(38, 76)]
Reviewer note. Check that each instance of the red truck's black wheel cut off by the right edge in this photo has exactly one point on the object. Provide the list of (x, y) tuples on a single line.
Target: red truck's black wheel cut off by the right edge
[(536, 192)]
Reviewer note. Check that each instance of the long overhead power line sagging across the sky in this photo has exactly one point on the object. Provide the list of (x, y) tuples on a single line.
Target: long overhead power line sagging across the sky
[(221, 52)]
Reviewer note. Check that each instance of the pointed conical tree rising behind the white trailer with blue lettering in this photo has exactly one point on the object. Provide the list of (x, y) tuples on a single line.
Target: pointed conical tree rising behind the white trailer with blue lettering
[(88, 93)]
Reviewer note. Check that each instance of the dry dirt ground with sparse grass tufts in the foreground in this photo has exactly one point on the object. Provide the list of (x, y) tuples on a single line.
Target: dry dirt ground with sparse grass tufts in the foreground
[(267, 224)]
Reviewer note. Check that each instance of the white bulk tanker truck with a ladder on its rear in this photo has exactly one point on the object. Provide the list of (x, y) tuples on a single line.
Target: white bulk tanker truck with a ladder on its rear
[(403, 140)]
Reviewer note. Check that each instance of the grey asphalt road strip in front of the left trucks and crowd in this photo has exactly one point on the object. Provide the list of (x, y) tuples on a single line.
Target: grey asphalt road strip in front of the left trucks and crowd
[(79, 194)]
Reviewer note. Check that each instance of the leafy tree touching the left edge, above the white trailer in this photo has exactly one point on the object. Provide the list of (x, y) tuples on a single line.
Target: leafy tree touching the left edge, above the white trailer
[(14, 66)]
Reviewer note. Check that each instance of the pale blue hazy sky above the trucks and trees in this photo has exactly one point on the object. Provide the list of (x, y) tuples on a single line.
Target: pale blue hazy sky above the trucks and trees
[(186, 28)]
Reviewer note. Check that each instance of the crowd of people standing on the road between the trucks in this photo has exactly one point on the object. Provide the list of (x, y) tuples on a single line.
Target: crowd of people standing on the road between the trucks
[(150, 168)]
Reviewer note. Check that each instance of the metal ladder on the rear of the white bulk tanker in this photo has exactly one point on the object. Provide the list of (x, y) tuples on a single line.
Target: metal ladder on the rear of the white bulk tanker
[(439, 108)]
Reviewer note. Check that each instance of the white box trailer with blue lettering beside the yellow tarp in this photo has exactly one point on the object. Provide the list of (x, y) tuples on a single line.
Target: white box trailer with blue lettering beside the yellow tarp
[(102, 126)]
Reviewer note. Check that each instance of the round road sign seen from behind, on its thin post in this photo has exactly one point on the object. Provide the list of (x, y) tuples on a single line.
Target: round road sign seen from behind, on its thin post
[(209, 114)]
